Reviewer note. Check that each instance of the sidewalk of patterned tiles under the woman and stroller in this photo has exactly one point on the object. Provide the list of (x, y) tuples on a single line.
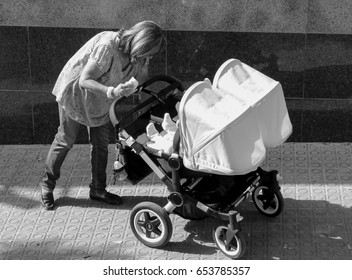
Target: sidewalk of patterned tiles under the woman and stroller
[(316, 222)]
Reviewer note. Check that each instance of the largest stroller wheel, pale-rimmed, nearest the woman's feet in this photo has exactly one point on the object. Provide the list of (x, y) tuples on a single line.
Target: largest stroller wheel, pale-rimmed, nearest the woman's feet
[(151, 224)]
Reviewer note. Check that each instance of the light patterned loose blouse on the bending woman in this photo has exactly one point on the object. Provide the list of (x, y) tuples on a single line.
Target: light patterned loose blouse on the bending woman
[(81, 105)]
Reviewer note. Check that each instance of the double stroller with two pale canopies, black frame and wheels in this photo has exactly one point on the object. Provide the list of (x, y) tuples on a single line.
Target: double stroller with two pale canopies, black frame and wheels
[(213, 163)]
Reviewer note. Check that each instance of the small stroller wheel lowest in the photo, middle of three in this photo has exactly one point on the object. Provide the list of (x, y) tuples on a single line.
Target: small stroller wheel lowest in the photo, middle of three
[(233, 248)]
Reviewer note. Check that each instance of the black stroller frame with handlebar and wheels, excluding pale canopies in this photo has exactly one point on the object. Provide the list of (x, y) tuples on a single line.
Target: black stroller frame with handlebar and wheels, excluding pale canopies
[(151, 223)]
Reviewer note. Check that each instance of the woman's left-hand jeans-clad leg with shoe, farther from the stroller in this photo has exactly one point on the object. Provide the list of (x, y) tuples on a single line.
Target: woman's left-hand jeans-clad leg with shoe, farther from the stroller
[(63, 142)]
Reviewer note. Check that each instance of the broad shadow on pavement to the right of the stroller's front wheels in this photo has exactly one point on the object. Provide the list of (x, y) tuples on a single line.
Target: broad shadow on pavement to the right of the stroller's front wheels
[(305, 230)]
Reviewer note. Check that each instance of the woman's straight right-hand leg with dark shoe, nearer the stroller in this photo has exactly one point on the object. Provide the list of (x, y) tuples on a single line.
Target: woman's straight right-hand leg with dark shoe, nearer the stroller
[(99, 140)]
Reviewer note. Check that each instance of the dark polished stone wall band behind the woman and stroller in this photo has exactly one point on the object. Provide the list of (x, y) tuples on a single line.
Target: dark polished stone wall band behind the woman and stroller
[(314, 69)]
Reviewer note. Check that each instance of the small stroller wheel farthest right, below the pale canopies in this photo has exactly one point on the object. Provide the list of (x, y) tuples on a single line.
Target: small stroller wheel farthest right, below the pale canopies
[(268, 202)]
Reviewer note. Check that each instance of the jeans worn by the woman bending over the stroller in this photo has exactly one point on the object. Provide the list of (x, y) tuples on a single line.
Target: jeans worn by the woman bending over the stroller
[(63, 142)]
